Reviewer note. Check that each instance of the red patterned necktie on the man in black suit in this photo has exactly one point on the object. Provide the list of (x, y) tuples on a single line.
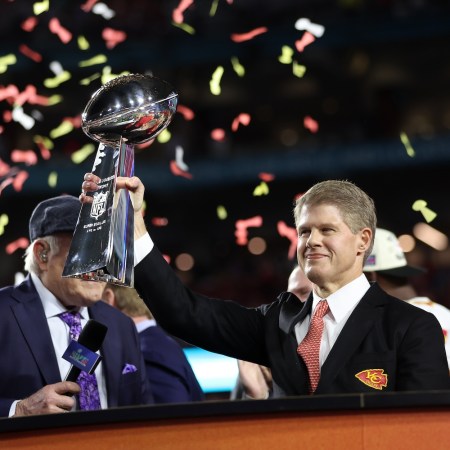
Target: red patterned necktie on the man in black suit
[(310, 346)]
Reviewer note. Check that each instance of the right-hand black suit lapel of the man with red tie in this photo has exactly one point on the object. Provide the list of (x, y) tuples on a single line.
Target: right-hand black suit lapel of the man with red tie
[(358, 325)]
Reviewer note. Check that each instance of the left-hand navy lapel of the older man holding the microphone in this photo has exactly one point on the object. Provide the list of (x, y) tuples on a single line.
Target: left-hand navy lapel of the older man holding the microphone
[(31, 319)]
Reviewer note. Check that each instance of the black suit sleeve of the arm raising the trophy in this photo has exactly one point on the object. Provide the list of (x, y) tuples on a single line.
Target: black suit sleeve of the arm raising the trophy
[(220, 326)]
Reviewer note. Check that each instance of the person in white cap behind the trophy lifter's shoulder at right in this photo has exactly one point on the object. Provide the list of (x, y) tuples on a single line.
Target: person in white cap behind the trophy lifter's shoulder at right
[(387, 265)]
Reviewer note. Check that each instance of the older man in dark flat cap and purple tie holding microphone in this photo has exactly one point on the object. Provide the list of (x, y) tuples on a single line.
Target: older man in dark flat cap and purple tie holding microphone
[(38, 317)]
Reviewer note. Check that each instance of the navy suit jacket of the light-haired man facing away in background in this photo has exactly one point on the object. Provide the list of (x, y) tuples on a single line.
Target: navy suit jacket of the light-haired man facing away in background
[(171, 377)]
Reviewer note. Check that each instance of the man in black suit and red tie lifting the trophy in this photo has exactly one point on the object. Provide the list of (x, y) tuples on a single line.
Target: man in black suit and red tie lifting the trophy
[(359, 339)]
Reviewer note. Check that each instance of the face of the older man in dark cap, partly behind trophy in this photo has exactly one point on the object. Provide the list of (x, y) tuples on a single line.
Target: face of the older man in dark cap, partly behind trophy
[(69, 291)]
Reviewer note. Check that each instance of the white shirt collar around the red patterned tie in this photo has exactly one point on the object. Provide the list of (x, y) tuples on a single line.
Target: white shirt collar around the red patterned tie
[(346, 298)]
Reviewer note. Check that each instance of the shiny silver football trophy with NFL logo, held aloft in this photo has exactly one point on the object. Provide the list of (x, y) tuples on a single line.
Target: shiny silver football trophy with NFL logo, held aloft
[(128, 110)]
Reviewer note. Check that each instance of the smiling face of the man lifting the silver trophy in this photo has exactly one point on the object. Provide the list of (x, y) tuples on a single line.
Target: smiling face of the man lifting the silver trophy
[(329, 253)]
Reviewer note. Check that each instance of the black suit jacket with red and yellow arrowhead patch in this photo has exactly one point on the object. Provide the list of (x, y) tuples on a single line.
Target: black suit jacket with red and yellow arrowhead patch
[(382, 333)]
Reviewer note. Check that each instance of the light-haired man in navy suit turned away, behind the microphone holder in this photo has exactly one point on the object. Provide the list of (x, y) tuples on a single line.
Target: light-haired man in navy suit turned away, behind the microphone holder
[(171, 377)]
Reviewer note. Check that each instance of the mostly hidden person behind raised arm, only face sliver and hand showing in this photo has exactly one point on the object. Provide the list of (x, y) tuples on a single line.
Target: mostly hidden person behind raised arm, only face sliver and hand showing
[(255, 381)]
